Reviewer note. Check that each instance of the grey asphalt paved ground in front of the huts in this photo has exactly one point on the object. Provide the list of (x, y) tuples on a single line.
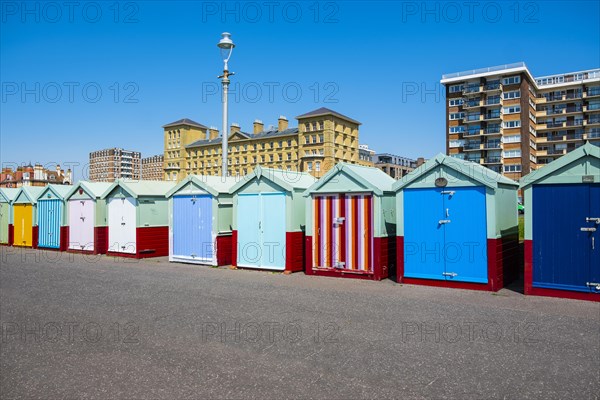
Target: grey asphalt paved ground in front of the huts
[(77, 327)]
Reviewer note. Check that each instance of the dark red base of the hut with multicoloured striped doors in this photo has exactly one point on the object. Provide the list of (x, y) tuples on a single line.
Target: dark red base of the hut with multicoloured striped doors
[(384, 256)]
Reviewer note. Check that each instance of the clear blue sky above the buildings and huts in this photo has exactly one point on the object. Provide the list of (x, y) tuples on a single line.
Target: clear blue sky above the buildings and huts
[(156, 62)]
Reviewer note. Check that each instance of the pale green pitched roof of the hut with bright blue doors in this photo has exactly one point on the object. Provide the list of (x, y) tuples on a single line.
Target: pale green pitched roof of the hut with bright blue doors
[(475, 171)]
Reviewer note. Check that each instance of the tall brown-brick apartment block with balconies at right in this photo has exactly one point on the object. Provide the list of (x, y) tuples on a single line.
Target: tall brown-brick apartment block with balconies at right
[(509, 121)]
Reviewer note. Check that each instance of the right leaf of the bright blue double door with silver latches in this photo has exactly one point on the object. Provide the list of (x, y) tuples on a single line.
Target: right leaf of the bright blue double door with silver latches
[(465, 235)]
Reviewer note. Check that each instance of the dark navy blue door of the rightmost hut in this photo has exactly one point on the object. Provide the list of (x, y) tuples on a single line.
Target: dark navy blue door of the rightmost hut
[(565, 256)]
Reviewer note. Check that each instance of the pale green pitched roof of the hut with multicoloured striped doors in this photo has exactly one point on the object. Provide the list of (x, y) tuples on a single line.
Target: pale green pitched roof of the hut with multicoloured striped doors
[(373, 178)]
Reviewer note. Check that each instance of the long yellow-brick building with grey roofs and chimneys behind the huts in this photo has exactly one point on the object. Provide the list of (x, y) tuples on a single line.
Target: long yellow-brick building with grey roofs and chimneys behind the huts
[(322, 138)]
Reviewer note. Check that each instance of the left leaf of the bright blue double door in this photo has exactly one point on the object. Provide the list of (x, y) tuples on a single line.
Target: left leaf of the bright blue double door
[(423, 235)]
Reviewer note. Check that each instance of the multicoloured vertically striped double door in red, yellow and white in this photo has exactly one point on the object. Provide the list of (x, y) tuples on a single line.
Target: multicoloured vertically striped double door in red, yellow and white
[(343, 232)]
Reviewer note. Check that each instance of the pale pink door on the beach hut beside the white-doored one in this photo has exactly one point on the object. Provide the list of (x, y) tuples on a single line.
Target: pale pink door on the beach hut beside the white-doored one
[(81, 225)]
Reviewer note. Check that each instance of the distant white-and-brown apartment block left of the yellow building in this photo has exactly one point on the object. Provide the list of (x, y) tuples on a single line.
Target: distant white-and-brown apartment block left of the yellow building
[(110, 164)]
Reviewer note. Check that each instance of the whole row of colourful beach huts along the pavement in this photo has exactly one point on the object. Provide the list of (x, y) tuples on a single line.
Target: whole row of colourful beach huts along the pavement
[(449, 223)]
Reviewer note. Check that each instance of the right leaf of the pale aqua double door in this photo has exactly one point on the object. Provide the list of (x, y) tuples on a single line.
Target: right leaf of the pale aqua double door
[(273, 230)]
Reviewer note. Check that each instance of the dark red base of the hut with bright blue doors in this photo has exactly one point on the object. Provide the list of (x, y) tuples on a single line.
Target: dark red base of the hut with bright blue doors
[(503, 266)]
